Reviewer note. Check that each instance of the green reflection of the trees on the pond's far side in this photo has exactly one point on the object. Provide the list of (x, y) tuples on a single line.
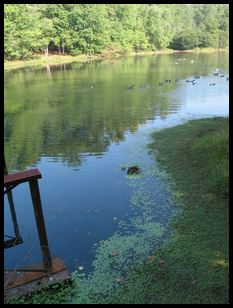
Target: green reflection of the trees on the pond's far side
[(82, 108)]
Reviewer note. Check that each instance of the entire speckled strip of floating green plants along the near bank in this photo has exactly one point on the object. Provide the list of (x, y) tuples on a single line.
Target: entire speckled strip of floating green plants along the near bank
[(136, 239)]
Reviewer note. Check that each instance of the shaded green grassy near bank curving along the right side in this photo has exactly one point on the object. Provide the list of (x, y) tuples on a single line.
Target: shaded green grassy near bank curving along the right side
[(193, 267)]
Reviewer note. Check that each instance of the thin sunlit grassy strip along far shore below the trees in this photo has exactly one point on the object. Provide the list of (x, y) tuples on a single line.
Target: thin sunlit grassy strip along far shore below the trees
[(41, 60)]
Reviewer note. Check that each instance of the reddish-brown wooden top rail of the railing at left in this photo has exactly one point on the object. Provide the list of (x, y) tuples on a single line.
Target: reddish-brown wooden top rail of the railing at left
[(21, 177)]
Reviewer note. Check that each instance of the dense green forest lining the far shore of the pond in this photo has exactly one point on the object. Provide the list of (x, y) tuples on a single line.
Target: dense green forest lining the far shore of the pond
[(31, 29)]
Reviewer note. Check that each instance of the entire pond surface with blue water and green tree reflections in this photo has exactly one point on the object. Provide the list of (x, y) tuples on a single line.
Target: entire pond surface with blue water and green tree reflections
[(81, 125)]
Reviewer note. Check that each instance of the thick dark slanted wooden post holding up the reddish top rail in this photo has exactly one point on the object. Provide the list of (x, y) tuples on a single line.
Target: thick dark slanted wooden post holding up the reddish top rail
[(35, 194)]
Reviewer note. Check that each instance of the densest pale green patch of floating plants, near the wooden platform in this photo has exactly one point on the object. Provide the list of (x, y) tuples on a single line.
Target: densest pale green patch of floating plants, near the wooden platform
[(114, 258)]
